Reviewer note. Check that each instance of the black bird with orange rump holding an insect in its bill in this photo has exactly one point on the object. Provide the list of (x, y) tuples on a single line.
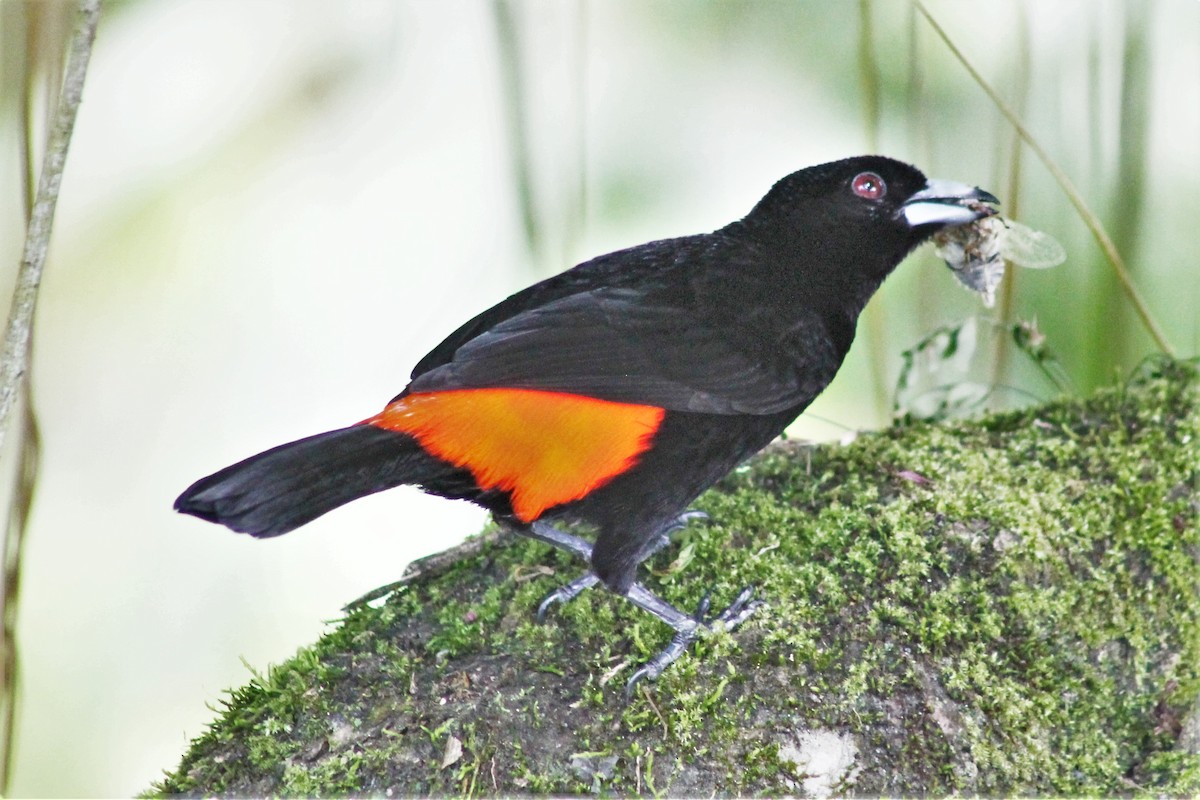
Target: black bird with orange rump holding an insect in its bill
[(609, 398)]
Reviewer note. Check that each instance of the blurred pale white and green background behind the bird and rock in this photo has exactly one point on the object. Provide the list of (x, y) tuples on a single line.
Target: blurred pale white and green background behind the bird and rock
[(274, 208)]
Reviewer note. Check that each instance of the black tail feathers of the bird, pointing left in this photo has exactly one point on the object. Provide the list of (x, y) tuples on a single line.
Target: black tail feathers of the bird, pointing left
[(289, 486)]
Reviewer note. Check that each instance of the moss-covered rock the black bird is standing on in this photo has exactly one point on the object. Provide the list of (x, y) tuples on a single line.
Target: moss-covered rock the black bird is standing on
[(1004, 606)]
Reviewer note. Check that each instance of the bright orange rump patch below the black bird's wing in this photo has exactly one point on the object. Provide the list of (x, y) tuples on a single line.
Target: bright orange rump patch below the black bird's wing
[(542, 448)]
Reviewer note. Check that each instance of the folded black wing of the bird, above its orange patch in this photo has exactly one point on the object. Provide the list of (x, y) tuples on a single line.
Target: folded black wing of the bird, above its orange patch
[(655, 332)]
